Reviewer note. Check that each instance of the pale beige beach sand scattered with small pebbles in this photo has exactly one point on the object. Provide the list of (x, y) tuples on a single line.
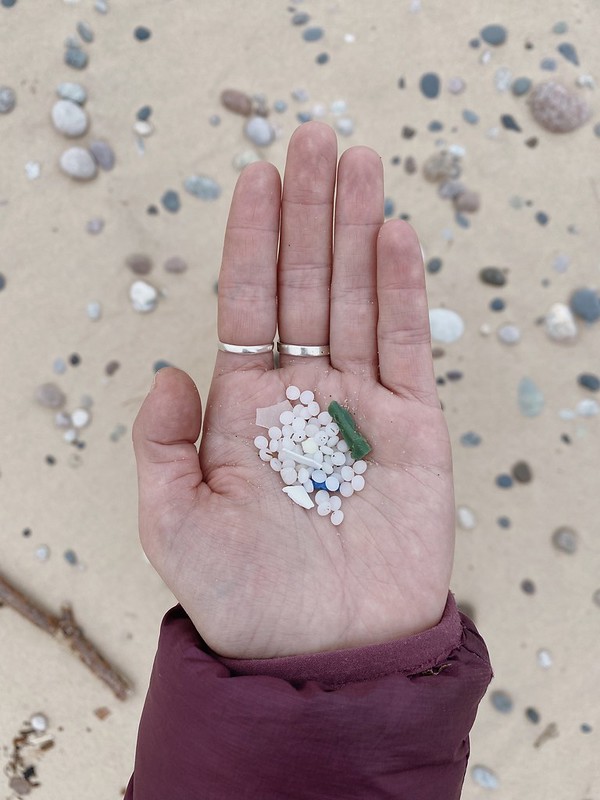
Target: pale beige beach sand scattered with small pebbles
[(87, 500)]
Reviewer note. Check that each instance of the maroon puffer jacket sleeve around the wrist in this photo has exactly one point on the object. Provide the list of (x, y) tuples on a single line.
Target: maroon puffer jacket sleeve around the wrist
[(385, 721)]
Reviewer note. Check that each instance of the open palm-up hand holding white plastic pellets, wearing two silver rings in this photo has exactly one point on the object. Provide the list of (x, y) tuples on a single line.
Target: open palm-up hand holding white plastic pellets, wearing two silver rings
[(259, 576)]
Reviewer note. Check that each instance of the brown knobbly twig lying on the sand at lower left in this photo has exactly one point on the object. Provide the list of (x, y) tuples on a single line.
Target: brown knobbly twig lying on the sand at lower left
[(65, 629)]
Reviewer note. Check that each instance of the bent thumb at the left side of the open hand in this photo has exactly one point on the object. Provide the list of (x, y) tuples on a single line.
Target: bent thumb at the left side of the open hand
[(164, 435)]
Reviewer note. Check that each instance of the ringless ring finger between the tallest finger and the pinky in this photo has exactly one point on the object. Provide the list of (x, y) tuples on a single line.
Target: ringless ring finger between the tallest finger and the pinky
[(358, 218)]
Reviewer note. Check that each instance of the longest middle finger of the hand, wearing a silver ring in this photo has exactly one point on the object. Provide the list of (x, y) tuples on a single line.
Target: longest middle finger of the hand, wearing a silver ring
[(306, 237)]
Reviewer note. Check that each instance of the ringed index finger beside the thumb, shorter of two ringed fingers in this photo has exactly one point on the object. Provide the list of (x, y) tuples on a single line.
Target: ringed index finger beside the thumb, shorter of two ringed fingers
[(247, 310)]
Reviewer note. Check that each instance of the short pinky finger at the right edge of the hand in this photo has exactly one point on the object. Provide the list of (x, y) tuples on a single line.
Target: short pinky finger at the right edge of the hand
[(403, 335)]
